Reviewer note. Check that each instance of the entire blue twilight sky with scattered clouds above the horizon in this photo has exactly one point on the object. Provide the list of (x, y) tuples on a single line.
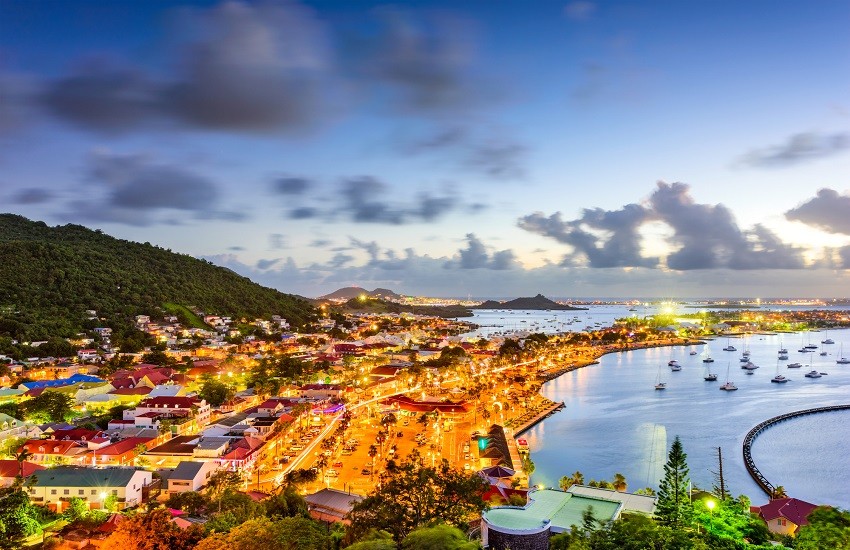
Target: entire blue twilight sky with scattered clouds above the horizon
[(489, 148)]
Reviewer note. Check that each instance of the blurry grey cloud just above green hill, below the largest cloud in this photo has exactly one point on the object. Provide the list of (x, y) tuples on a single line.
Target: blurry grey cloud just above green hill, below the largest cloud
[(133, 189)]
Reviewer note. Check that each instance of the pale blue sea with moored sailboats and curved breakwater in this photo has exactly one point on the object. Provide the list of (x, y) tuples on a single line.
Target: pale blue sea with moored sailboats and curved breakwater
[(616, 422)]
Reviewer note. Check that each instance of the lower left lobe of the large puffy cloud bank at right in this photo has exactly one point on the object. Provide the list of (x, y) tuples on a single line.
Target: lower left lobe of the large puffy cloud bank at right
[(618, 247)]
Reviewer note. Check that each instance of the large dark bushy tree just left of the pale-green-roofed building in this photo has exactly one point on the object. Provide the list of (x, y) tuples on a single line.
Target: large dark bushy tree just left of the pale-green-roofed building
[(413, 495)]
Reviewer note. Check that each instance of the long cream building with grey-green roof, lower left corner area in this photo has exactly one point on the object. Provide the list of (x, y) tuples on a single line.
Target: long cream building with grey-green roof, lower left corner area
[(56, 486)]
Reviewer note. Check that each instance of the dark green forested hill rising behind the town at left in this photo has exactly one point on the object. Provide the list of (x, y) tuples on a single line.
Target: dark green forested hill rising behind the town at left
[(50, 276)]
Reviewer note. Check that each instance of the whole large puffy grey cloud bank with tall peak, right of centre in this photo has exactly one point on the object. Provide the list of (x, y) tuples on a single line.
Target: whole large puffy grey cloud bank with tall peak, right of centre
[(703, 236)]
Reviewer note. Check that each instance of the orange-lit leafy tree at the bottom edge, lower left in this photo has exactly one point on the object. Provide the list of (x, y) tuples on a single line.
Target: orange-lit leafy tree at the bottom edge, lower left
[(152, 531)]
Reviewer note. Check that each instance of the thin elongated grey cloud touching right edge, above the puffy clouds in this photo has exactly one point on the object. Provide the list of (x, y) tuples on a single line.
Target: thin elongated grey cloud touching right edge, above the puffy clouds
[(798, 148)]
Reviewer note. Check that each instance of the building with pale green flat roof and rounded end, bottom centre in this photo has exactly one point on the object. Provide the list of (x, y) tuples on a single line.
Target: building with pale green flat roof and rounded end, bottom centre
[(548, 512)]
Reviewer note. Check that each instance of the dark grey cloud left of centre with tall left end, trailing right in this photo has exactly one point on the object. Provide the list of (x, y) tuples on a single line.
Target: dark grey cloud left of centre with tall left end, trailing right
[(364, 200)]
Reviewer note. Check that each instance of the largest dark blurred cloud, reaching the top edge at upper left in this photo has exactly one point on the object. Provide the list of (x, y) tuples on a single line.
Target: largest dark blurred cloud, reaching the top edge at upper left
[(245, 68)]
